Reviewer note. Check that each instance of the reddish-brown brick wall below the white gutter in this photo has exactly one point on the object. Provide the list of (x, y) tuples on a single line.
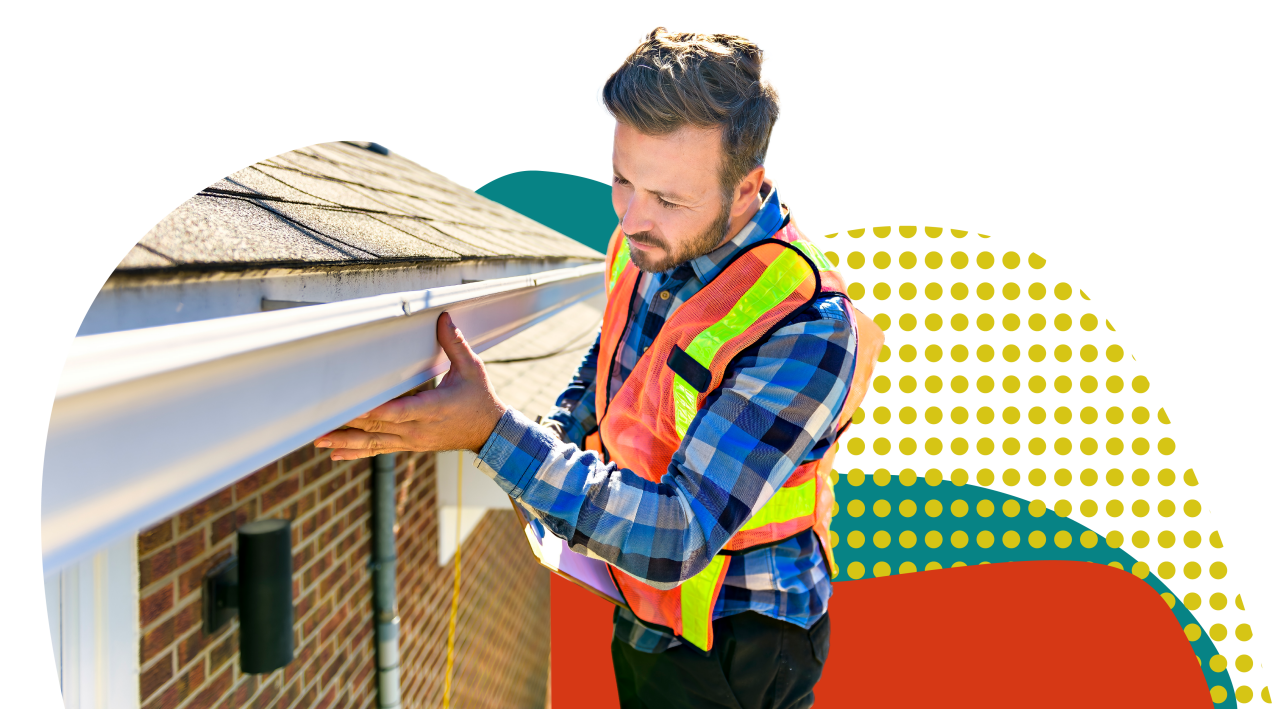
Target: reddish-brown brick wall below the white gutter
[(502, 641)]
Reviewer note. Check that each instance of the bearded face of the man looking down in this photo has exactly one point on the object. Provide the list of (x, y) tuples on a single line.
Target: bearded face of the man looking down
[(668, 195)]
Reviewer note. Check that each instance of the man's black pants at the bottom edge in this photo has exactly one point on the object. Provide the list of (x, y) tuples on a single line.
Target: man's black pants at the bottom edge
[(756, 664)]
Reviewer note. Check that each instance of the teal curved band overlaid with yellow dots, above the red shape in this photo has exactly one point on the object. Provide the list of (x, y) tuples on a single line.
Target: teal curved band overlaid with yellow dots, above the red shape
[(865, 490)]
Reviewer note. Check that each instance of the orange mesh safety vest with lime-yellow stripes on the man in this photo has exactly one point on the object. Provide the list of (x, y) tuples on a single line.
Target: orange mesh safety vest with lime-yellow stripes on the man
[(642, 427)]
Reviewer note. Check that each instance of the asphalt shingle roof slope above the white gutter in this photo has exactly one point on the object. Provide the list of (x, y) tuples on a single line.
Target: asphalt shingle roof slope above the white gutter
[(335, 204)]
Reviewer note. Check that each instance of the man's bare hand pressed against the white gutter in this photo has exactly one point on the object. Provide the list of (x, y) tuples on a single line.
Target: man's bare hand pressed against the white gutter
[(459, 415)]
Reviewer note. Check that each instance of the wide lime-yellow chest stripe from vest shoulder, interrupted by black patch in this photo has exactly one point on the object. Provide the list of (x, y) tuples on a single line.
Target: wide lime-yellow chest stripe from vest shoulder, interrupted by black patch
[(779, 281)]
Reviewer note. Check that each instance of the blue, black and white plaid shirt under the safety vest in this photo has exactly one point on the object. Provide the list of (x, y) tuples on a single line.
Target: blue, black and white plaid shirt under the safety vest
[(776, 410)]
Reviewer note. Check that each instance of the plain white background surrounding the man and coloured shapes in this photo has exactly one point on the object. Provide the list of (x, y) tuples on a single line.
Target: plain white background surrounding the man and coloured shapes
[(1131, 144)]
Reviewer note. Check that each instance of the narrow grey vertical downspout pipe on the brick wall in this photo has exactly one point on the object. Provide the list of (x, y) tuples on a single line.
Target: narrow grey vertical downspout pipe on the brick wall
[(383, 564)]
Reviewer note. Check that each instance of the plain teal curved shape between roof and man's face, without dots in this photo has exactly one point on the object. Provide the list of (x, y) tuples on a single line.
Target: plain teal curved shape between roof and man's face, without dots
[(579, 208)]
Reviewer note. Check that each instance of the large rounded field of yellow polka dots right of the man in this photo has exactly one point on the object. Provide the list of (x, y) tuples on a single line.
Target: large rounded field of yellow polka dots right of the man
[(995, 364)]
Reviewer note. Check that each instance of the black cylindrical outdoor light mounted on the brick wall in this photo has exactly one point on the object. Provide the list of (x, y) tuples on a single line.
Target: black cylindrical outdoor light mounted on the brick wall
[(259, 586)]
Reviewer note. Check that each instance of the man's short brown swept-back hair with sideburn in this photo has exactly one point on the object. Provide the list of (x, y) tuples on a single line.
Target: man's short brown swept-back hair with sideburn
[(682, 79)]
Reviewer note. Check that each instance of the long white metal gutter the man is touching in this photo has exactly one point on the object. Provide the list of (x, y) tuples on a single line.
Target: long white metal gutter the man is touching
[(149, 422)]
